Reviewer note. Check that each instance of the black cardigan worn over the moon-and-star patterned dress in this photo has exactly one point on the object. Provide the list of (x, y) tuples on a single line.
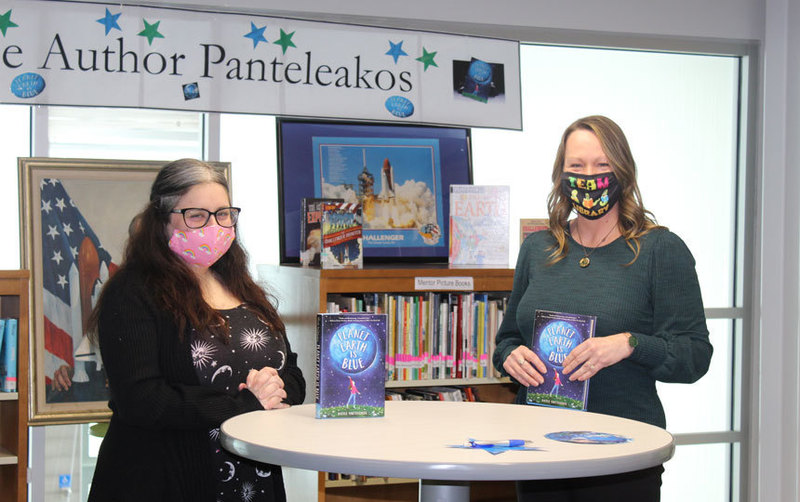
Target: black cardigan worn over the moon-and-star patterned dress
[(156, 447)]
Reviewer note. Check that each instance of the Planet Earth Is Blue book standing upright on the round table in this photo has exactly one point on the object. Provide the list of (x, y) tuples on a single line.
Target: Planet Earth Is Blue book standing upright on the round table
[(351, 372)]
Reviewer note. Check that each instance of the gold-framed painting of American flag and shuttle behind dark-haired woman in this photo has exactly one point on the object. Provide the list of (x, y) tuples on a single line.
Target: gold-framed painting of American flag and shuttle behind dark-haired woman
[(75, 218)]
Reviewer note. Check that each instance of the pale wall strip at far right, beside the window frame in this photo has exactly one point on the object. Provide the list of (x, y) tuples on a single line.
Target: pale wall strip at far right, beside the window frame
[(778, 430)]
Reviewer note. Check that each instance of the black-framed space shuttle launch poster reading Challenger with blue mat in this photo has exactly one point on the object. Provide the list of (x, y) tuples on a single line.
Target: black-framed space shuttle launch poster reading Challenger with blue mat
[(419, 157)]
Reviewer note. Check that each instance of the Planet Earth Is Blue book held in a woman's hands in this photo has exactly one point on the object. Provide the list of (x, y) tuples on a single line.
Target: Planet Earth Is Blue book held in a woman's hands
[(555, 334)]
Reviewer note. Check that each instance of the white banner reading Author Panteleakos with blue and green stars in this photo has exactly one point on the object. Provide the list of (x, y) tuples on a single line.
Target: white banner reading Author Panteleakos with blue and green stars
[(89, 54)]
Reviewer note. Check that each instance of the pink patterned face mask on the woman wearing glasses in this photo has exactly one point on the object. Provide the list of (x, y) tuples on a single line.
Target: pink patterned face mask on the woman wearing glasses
[(202, 247)]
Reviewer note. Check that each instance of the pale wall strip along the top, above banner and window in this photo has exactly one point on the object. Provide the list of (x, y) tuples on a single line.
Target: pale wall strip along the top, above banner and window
[(727, 19)]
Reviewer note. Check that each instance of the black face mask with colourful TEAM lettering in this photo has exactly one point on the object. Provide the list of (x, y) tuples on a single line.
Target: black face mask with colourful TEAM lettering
[(591, 196)]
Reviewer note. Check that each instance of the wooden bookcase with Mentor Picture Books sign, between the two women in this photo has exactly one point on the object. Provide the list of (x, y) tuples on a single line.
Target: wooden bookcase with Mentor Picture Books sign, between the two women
[(302, 292)]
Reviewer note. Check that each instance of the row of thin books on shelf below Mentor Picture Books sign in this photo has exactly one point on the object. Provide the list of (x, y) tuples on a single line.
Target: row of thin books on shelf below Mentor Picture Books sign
[(433, 335)]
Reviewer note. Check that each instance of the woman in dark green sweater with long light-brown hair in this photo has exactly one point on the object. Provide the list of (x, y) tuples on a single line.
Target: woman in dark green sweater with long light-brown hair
[(612, 261)]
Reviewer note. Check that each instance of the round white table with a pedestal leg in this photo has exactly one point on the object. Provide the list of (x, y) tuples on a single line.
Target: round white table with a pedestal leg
[(412, 440)]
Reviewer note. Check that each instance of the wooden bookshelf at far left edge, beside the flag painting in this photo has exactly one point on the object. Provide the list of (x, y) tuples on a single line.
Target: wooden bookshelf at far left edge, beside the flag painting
[(14, 298)]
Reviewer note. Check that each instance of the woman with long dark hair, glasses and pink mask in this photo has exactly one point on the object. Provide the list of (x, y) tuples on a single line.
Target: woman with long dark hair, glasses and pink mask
[(188, 340)]
